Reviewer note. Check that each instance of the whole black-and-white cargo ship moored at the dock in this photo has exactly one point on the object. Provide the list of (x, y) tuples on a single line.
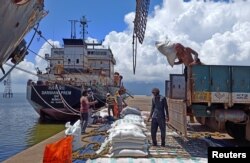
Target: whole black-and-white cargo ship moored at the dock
[(75, 67)]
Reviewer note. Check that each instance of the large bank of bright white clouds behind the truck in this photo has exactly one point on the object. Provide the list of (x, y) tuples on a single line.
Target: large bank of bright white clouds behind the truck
[(218, 31)]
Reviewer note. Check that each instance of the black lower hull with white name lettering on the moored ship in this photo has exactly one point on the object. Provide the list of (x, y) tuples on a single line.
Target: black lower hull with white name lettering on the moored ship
[(61, 102)]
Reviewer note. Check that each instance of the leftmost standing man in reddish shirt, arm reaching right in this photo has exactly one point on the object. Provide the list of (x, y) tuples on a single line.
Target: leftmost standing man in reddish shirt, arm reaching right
[(84, 110)]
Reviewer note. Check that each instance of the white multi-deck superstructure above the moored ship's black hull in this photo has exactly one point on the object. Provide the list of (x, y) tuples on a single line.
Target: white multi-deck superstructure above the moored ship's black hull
[(79, 63)]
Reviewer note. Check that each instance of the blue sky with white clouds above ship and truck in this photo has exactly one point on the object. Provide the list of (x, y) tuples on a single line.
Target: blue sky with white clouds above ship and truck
[(218, 31)]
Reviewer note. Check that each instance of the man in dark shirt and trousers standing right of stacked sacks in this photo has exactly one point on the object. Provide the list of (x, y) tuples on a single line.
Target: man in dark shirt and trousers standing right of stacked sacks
[(159, 115)]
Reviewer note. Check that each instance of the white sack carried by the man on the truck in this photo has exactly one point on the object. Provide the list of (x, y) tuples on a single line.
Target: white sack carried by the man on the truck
[(168, 50)]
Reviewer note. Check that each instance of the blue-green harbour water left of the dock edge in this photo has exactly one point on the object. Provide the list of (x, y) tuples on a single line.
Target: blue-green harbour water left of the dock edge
[(20, 127)]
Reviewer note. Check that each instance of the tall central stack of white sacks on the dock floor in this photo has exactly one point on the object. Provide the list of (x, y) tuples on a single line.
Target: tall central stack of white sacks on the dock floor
[(127, 135)]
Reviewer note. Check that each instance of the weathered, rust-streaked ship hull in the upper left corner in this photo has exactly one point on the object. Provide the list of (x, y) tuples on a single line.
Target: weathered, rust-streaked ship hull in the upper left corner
[(16, 21)]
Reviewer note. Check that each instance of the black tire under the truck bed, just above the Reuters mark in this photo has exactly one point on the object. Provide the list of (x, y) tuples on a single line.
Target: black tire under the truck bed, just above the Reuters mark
[(236, 131)]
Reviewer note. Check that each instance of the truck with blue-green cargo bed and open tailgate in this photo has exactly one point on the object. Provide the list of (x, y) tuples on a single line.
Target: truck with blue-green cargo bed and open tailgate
[(218, 96)]
